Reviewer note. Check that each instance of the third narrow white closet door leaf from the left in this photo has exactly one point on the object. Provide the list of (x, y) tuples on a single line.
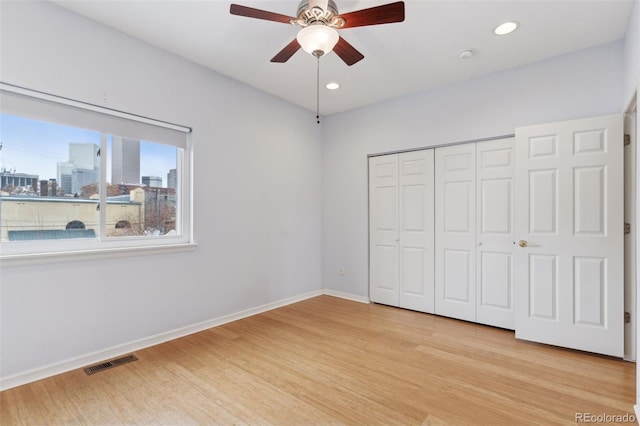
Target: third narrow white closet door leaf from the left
[(455, 231)]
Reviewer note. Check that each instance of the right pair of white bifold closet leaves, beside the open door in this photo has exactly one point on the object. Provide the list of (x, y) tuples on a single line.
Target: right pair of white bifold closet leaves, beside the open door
[(474, 227)]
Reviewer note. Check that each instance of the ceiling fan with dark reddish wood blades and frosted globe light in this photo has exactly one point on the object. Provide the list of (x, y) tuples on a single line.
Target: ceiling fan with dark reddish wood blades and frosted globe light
[(319, 20)]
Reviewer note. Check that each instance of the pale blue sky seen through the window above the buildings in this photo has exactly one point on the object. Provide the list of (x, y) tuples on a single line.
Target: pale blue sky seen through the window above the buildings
[(35, 147)]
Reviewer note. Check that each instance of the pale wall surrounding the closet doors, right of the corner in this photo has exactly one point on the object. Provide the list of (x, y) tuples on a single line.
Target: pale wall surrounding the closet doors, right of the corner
[(581, 84)]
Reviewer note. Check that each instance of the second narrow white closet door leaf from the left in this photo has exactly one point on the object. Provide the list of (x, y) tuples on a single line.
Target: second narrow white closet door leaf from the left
[(416, 230)]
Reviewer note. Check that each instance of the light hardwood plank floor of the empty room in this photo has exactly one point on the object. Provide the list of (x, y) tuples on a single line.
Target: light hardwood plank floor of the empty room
[(332, 361)]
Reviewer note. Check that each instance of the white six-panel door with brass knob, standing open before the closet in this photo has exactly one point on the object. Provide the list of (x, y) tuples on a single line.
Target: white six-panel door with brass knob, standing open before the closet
[(569, 230)]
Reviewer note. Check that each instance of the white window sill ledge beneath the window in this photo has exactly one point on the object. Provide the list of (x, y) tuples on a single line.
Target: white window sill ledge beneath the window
[(77, 255)]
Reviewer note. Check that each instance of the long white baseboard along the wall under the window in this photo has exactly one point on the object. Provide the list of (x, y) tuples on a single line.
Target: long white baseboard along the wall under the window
[(119, 350)]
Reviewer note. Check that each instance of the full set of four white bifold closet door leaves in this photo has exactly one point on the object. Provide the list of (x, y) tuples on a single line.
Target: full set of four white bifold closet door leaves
[(452, 257)]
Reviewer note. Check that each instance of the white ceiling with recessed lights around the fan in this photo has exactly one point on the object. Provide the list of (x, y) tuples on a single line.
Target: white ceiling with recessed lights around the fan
[(401, 58)]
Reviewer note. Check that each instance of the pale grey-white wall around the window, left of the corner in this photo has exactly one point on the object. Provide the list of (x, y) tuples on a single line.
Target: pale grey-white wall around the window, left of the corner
[(258, 187)]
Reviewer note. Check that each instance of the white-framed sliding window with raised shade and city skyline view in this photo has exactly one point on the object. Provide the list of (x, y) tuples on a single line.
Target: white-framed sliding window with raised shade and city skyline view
[(75, 176)]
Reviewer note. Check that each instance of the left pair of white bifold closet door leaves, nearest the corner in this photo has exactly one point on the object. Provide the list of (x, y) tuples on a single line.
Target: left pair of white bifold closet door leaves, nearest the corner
[(401, 230)]
